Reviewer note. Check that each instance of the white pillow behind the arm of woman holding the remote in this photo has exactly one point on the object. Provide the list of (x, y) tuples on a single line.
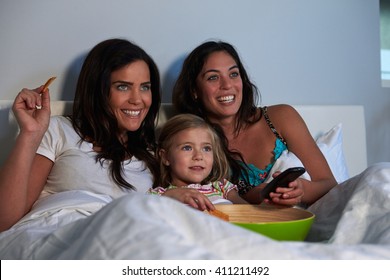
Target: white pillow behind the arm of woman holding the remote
[(331, 145)]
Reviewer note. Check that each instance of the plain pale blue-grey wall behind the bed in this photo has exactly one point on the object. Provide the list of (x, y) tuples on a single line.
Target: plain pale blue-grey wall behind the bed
[(297, 52)]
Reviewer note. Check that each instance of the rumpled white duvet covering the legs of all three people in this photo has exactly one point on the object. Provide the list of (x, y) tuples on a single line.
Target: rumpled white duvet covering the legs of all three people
[(352, 222)]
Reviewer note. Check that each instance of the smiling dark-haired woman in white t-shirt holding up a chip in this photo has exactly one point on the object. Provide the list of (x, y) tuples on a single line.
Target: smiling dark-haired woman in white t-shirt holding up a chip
[(105, 147)]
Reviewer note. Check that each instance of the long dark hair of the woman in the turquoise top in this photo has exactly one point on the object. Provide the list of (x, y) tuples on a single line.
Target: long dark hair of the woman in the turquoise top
[(185, 102)]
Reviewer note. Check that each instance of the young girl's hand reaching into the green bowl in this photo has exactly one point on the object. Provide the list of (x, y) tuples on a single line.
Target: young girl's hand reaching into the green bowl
[(191, 197)]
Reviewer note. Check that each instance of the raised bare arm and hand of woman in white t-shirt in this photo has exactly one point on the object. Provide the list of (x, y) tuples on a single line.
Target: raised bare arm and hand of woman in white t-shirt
[(24, 173)]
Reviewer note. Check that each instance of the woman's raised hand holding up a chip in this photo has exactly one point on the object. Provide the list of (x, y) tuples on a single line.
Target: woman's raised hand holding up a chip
[(32, 110)]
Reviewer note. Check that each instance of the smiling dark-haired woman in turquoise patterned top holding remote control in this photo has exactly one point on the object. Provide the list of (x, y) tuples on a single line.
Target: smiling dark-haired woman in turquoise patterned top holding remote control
[(214, 85)]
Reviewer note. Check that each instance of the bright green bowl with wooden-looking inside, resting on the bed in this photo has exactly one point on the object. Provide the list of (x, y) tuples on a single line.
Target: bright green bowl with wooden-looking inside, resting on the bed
[(279, 223)]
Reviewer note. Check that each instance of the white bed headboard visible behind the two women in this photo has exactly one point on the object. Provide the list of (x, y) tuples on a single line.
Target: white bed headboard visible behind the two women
[(319, 119)]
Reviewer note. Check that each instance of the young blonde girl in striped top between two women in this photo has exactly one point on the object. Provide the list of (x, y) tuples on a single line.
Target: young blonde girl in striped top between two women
[(191, 156)]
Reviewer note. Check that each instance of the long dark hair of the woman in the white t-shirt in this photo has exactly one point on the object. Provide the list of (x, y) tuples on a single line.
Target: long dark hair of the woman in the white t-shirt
[(94, 120)]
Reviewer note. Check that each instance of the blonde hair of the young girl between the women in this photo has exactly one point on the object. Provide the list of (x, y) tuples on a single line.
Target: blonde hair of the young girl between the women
[(182, 122)]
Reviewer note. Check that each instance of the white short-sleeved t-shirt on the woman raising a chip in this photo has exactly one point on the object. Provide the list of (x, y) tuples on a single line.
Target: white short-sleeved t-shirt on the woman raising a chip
[(75, 166)]
